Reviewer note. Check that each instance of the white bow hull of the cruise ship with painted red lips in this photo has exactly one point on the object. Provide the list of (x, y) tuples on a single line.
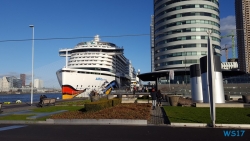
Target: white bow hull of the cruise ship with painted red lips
[(81, 84)]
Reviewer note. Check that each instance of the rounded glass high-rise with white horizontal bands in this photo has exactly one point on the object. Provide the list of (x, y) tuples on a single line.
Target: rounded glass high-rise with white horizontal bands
[(180, 37)]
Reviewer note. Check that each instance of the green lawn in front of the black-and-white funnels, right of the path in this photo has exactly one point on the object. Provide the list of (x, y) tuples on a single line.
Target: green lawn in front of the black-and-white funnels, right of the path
[(202, 115)]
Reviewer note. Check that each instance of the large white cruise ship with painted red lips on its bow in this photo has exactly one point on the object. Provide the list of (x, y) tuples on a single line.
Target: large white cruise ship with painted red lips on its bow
[(93, 66)]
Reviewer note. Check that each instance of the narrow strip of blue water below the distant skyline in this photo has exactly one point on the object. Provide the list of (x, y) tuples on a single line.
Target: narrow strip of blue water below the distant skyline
[(27, 97)]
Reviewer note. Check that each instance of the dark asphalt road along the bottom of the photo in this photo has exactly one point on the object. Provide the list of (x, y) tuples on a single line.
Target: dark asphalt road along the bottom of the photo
[(115, 133)]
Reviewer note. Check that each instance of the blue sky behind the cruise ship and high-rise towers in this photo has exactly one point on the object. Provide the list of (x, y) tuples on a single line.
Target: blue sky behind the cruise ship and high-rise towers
[(78, 18)]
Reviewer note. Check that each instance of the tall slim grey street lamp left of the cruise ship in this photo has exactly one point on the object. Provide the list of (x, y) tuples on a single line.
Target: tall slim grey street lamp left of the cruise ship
[(32, 72)]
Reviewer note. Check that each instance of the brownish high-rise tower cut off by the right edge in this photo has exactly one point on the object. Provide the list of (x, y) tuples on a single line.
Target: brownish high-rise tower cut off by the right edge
[(242, 15)]
